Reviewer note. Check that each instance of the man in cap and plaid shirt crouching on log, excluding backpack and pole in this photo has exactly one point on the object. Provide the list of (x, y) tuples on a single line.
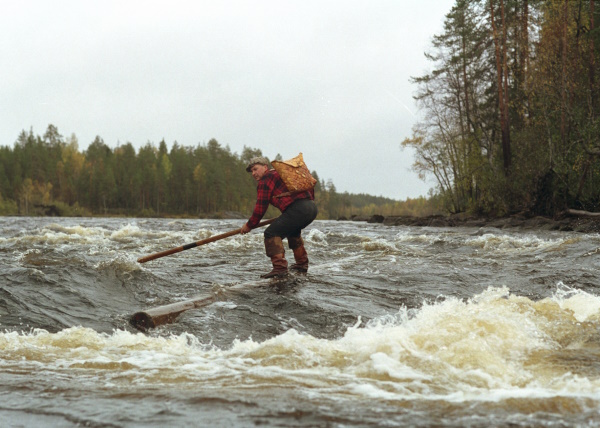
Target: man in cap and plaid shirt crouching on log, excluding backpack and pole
[(298, 211)]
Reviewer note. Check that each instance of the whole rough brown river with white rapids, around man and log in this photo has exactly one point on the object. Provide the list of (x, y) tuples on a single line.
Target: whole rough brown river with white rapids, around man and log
[(392, 326)]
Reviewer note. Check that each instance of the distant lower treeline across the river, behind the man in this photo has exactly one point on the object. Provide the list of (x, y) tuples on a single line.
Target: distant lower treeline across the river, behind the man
[(49, 175)]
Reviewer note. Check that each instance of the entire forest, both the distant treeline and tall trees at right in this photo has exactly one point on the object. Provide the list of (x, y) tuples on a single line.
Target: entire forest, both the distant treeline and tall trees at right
[(508, 124)]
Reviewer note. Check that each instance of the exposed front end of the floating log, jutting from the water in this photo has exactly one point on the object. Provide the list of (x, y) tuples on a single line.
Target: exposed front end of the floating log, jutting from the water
[(151, 318)]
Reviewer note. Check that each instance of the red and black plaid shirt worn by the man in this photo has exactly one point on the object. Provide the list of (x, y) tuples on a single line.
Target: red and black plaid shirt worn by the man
[(269, 186)]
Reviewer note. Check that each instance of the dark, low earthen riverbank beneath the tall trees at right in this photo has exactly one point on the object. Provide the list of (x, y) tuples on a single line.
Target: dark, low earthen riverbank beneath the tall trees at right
[(575, 221)]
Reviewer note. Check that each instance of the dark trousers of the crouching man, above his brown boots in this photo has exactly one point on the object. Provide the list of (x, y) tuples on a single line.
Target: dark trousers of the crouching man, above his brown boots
[(296, 217)]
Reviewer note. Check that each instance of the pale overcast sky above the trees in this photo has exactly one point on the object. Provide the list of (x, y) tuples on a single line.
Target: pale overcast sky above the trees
[(328, 78)]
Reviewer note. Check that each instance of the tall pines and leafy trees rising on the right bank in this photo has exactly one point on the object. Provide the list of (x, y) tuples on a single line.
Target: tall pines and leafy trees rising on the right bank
[(511, 120)]
